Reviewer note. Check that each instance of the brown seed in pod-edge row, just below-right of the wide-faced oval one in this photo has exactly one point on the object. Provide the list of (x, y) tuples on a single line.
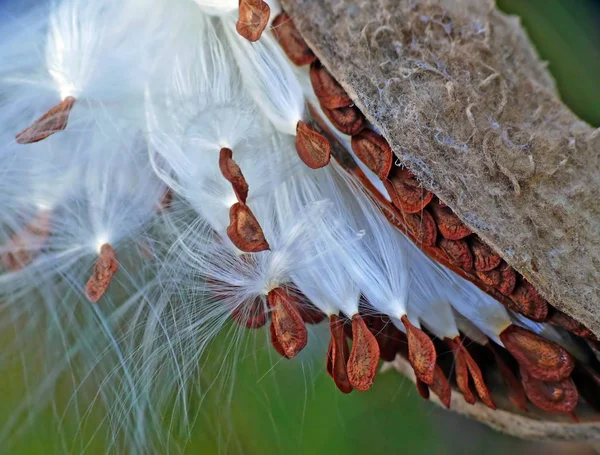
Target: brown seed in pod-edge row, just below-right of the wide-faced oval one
[(406, 192)]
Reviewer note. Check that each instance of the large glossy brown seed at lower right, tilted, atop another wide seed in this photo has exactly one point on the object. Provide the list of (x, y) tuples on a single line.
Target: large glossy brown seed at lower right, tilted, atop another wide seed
[(543, 359)]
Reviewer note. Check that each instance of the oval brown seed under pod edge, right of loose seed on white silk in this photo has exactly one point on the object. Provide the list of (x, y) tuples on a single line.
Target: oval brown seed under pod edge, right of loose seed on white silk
[(374, 151)]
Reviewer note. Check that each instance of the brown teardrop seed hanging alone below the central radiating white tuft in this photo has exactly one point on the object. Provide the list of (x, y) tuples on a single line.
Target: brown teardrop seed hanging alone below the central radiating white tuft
[(287, 325)]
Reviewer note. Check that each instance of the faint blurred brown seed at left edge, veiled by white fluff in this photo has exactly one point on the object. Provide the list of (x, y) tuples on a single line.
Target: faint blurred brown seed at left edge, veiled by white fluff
[(24, 246)]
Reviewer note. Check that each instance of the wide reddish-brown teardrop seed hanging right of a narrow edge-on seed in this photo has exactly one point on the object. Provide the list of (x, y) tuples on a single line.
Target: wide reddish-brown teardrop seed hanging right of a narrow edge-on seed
[(364, 357)]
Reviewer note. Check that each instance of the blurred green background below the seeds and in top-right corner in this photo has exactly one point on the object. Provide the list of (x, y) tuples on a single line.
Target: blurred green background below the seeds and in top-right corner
[(293, 407)]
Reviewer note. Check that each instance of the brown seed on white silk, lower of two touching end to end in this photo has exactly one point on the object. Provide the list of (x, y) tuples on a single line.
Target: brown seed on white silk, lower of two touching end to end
[(244, 231)]
